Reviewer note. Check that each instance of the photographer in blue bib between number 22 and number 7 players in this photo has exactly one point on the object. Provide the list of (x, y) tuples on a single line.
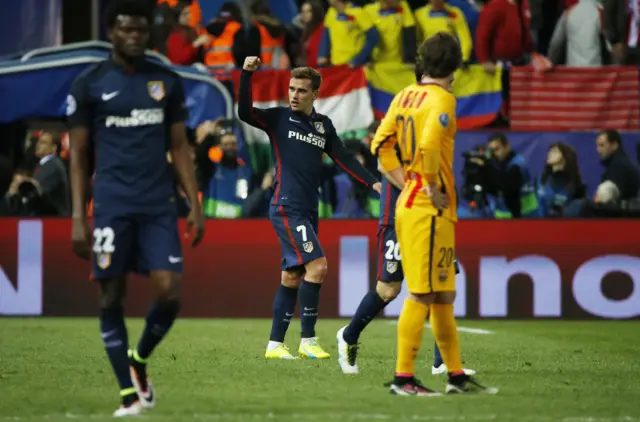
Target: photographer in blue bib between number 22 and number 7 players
[(224, 177)]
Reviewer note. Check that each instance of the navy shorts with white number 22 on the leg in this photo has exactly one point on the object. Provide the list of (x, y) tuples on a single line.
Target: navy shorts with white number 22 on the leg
[(135, 243)]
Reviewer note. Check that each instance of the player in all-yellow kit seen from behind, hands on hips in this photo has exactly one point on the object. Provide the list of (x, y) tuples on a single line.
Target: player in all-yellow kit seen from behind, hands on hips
[(421, 121)]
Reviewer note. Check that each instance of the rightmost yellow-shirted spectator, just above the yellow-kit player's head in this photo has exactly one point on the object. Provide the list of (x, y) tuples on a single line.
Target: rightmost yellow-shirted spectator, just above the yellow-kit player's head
[(437, 16)]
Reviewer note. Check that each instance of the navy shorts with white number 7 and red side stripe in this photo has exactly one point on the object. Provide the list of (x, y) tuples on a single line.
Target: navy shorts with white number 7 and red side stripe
[(298, 236)]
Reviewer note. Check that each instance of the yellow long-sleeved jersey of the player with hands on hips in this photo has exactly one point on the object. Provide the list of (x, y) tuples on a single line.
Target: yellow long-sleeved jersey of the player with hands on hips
[(422, 121)]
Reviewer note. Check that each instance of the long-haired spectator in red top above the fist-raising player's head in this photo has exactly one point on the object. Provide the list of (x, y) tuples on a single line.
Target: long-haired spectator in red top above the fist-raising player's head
[(307, 30)]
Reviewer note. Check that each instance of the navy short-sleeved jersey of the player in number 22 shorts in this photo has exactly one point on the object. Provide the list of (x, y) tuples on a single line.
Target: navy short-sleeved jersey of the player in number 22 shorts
[(129, 115)]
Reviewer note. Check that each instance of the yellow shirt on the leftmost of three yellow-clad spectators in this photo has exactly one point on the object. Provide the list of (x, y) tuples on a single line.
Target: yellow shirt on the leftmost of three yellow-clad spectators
[(346, 32)]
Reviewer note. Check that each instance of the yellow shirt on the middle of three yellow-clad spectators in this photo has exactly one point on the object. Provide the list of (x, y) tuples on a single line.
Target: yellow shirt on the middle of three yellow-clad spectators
[(390, 22)]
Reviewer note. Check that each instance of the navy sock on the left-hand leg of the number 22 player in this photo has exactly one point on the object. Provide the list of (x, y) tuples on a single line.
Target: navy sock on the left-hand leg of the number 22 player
[(114, 335)]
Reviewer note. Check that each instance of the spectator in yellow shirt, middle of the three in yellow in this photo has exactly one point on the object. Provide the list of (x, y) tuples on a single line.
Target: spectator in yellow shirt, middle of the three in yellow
[(394, 22)]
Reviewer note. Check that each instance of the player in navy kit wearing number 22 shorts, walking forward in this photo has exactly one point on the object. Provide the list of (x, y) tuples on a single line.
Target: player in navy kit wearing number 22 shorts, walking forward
[(132, 110)]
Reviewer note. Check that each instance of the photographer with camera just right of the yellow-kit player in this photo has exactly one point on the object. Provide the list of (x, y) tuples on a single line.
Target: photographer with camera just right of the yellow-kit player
[(508, 180)]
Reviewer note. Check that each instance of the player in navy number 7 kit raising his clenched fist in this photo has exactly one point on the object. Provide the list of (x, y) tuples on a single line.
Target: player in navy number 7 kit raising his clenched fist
[(299, 136)]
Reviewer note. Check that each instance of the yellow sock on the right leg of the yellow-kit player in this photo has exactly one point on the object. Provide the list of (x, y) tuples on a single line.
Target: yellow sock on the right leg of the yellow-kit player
[(443, 324)]
